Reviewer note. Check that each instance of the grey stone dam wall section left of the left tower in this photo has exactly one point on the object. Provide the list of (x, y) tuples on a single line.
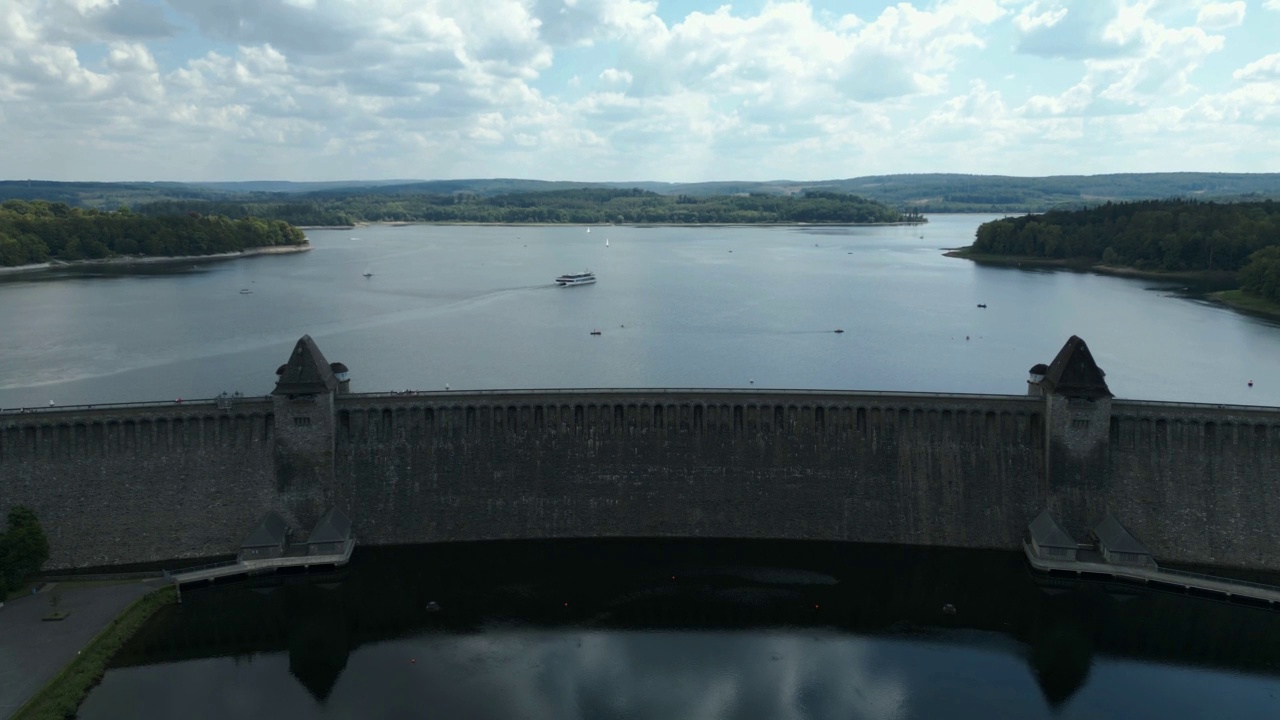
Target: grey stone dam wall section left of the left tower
[(140, 484)]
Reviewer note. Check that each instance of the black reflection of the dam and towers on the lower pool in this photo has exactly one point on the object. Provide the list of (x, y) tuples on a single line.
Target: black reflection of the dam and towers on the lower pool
[(1057, 628)]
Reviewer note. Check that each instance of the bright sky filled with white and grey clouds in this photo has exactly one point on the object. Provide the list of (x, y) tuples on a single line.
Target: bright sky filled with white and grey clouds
[(629, 90)]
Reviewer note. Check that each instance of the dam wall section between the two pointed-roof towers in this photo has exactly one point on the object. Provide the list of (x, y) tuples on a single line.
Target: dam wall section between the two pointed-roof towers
[(906, 470)]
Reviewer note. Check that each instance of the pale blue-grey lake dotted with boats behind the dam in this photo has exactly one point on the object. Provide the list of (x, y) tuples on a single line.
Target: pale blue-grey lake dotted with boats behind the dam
[(476, 308)]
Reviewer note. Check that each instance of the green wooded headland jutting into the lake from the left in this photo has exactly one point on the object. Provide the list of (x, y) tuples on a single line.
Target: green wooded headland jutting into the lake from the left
[(35, 233)]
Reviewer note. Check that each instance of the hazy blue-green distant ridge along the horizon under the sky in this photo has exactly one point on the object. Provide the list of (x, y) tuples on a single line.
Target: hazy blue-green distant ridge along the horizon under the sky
[(929, 193)]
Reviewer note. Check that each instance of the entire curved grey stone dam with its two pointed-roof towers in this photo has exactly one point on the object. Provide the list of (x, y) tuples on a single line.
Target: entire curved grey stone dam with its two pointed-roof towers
[(158, 482)]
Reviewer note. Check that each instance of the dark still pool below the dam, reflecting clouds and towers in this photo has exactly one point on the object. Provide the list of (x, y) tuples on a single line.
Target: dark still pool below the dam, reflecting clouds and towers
[(683, 630)]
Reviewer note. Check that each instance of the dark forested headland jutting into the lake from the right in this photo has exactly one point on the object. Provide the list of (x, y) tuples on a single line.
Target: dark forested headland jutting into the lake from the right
[(1171, 236)]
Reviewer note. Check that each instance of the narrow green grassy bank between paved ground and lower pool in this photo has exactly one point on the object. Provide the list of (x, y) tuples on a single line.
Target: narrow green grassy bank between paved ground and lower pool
[(65, 694)]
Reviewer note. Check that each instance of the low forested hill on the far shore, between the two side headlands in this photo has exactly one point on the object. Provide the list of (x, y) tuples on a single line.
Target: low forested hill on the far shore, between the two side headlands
[(582, 206)]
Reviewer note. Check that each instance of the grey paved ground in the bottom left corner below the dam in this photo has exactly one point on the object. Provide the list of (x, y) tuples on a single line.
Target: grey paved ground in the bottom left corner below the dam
[(34, 651)]
